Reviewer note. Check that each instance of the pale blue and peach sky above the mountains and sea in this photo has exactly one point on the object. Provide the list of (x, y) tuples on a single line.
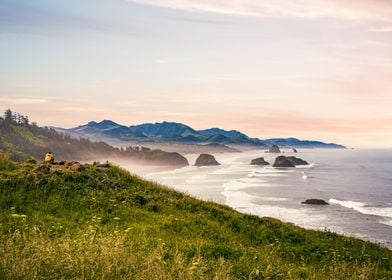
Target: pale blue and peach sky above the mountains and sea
[(311, 69)]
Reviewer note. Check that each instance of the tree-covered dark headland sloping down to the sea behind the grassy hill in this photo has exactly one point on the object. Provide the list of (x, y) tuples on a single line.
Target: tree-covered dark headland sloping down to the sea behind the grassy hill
[(22, 140)]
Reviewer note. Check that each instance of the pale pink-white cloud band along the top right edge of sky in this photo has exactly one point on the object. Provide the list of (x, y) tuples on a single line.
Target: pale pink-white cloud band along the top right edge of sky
[(371, 10)]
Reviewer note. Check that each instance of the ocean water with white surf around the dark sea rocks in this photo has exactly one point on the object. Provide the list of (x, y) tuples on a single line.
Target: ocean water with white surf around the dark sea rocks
[(356, 183)]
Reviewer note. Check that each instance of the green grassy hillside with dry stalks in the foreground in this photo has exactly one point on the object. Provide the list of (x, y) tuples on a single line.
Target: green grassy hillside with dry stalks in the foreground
[(103, 223)]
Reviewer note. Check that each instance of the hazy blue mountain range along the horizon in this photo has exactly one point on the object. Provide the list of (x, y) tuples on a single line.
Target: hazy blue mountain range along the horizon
[(181, 133)]
